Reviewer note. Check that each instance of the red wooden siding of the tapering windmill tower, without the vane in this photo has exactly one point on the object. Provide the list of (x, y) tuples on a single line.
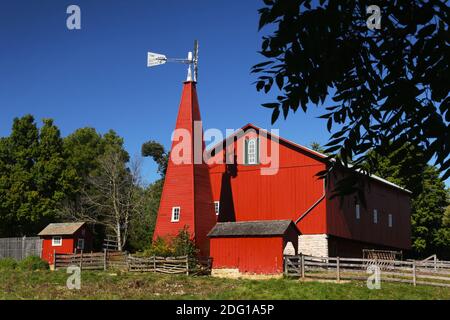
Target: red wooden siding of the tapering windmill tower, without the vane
[(187, 185)]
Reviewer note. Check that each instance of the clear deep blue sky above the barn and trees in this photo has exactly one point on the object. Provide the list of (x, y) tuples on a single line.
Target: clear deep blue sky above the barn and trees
[(97, 76)]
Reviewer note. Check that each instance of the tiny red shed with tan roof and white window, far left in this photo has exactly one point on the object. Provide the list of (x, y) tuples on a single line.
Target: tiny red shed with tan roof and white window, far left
[(65, 238)]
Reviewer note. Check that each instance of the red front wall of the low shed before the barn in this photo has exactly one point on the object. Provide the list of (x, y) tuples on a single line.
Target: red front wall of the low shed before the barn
[(247, 255)]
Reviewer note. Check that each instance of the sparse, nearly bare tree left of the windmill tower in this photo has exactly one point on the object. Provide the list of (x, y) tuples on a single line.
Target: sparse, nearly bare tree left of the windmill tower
[(112, 197)]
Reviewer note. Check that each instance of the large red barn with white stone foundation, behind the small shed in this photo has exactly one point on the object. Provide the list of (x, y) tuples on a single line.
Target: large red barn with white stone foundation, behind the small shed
[(328, 226)]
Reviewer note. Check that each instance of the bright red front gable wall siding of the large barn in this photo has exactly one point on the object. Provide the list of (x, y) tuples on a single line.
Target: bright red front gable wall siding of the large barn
[(285, 195)]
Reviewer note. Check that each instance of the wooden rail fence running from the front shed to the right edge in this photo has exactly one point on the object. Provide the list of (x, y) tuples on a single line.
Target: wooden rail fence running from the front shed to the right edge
[(414, 272)]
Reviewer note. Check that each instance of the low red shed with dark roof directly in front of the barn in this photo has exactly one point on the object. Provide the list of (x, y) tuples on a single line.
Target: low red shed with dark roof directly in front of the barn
[(252, 247)]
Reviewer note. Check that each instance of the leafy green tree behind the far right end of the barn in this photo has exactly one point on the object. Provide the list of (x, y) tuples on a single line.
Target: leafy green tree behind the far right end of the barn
[(430, 233)]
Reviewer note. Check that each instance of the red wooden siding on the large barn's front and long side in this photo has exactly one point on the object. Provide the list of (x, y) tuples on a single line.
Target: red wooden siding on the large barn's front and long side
[(245, 195)]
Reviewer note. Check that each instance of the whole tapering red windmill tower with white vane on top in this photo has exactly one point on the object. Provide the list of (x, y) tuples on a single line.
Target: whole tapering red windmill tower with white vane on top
[(186, 200)]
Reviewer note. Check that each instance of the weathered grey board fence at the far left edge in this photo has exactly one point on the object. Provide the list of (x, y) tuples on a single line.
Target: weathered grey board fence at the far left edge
[(20, 248)]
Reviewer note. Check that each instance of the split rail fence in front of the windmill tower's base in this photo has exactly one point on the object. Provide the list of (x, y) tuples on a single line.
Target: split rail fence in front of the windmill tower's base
[(121, 260)]
